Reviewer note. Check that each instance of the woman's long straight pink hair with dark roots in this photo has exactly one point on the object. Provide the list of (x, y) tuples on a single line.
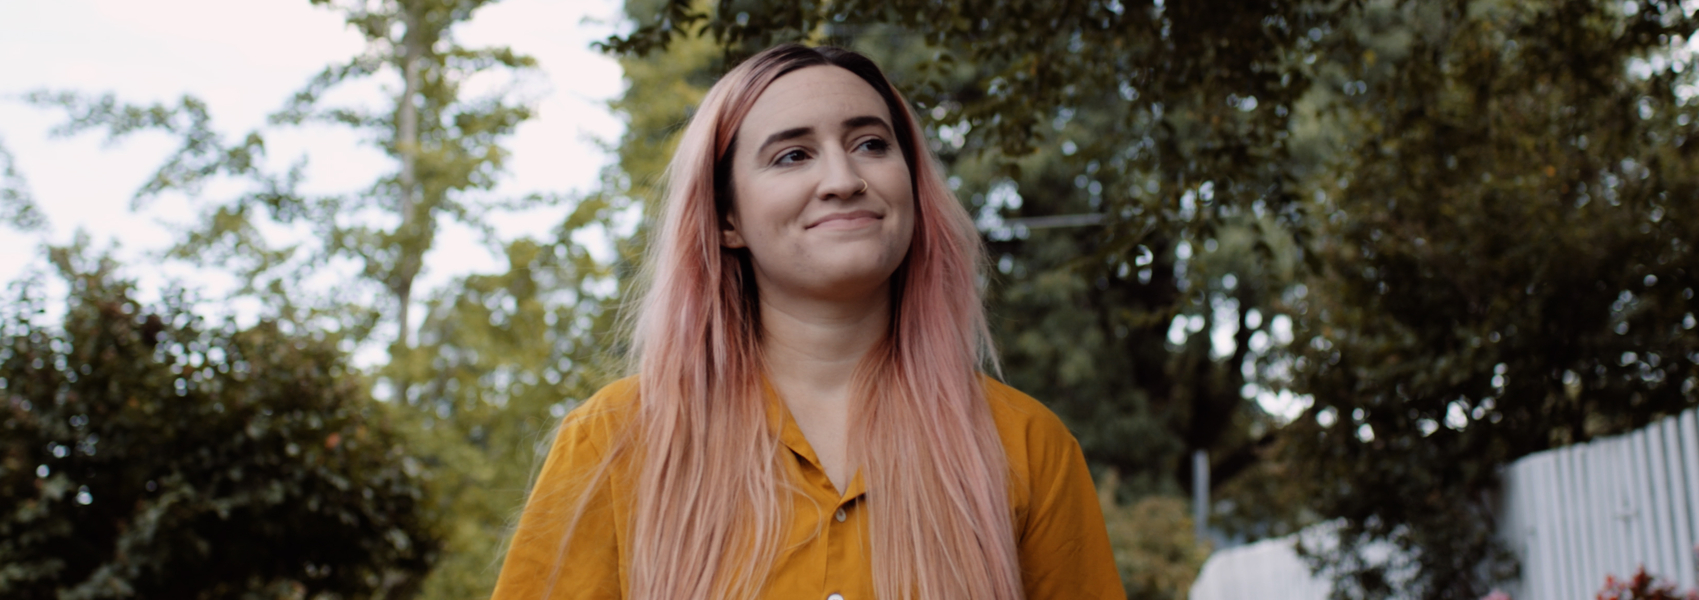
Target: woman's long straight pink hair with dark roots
[(711, 492)]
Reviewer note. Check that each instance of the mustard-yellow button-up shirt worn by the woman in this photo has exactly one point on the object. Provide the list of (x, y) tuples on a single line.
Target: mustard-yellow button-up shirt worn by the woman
[(1063, 543)]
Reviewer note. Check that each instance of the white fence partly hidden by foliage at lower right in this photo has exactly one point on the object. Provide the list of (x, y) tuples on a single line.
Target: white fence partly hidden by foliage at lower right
[(1571, 516)]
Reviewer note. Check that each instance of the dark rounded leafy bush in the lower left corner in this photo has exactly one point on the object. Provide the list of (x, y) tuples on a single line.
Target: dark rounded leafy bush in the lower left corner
[(152, 455)]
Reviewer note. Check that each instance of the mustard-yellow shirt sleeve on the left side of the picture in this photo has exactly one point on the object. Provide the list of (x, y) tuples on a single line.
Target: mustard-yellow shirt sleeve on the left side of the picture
[(543, 562)]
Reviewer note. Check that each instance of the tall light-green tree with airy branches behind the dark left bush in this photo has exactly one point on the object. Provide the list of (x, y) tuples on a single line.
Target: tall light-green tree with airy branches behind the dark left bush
[(495, 354)]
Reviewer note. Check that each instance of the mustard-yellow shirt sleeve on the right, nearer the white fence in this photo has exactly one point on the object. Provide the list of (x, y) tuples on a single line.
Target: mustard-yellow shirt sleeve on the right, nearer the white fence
[(1064, 545)]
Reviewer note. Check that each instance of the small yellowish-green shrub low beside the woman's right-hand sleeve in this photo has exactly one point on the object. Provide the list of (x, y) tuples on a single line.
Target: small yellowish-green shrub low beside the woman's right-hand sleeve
[(1154, 545)]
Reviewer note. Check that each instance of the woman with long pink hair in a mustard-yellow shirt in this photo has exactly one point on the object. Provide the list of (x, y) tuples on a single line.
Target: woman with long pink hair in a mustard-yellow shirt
[(808, 419)]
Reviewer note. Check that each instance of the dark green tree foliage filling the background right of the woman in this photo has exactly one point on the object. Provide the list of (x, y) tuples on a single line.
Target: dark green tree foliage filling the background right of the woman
[(1462, 230)]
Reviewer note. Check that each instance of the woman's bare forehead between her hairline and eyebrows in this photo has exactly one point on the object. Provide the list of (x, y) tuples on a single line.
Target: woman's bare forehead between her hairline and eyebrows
[(820, 98)]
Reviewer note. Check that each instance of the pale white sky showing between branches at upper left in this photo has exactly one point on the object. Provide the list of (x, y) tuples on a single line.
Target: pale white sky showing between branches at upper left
[(244, 60)]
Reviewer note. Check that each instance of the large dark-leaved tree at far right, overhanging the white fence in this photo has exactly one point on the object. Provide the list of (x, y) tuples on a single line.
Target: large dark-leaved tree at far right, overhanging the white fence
[(1506, 266)]
